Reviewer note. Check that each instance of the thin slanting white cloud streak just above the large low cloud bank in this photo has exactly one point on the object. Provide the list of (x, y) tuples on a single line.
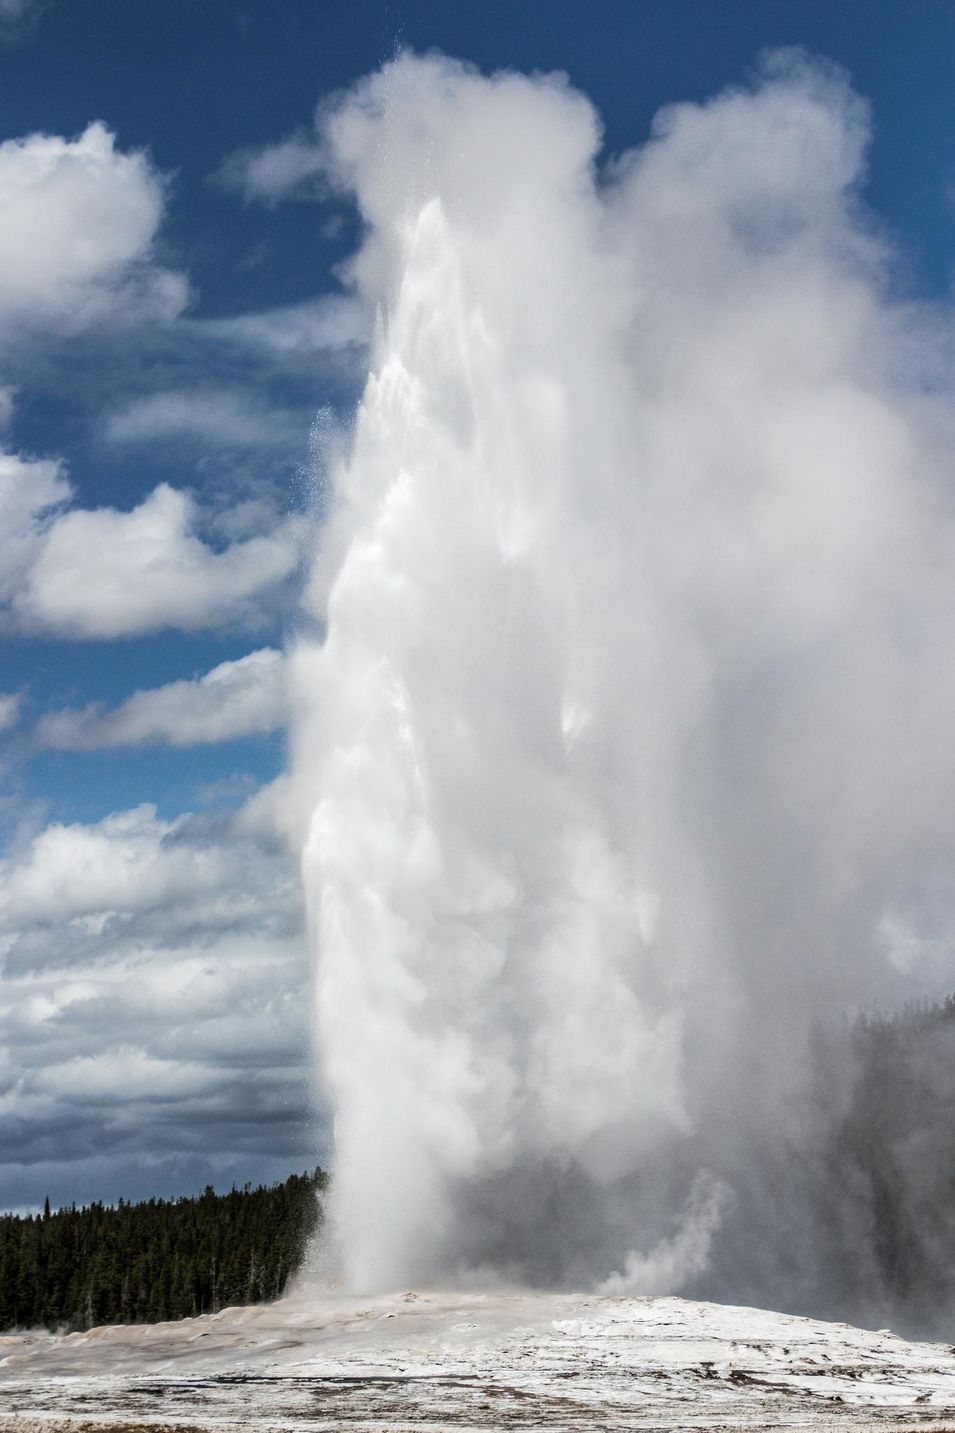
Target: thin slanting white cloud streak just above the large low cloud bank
[(234, 700)]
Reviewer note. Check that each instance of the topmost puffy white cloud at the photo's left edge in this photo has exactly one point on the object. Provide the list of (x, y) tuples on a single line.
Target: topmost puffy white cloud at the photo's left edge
[(80, 224)]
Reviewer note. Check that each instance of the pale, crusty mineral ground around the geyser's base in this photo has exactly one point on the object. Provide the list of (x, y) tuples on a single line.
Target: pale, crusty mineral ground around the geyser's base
[(495, 1361)]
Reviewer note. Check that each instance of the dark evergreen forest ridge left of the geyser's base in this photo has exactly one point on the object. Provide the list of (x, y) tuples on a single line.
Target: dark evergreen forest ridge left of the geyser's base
[(163, 1259)]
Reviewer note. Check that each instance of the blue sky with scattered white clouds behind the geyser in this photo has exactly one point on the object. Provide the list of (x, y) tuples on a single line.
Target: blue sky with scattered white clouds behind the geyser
[(176, 345)]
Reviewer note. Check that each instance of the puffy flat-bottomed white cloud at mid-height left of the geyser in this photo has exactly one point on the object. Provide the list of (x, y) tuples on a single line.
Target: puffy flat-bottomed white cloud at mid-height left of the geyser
[(103, 574)]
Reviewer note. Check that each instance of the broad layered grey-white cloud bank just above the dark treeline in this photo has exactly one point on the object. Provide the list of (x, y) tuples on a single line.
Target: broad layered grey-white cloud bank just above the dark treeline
[(151, 1012)]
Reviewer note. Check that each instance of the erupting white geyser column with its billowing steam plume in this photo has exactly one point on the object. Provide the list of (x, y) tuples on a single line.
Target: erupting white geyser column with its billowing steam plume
[(623, 760)]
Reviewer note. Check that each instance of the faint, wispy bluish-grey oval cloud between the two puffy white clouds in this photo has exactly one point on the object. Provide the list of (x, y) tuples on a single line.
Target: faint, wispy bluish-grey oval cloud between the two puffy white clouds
[(224, 419)]
